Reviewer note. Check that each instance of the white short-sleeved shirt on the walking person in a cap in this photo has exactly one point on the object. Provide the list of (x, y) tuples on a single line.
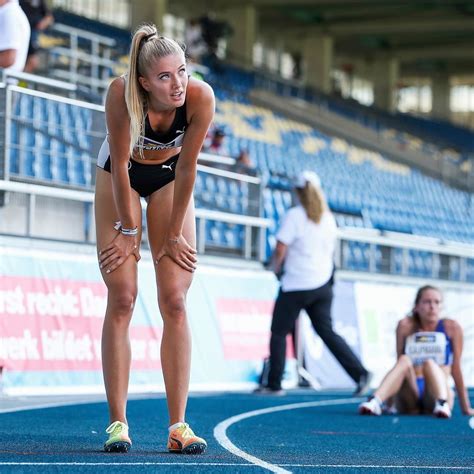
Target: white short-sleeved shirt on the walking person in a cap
[(309, 260)]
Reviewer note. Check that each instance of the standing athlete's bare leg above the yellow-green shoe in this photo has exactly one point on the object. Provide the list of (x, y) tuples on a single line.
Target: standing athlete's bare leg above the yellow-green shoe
[(122, 292)]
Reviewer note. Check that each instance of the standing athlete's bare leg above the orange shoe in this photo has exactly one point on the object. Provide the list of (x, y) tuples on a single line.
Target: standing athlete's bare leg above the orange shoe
[(173, 283)]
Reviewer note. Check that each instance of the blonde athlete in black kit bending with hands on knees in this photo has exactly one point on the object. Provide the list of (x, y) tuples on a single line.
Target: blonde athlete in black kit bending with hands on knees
[(157, 119)]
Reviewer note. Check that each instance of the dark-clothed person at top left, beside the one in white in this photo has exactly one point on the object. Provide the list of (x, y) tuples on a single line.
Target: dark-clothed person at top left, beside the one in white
[(40, 18)]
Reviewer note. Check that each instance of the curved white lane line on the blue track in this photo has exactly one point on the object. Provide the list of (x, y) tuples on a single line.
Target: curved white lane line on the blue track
[(225, 442)]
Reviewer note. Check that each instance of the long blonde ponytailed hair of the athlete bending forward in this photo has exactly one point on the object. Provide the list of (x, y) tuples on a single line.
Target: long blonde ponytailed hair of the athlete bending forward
[(146, 47)]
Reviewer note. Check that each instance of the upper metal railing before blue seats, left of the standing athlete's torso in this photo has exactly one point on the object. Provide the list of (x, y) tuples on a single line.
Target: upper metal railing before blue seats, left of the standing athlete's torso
[(35, 123)]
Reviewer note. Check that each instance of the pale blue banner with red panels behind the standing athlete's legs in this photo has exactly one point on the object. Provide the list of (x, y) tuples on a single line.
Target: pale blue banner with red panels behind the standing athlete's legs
[(52, 307)]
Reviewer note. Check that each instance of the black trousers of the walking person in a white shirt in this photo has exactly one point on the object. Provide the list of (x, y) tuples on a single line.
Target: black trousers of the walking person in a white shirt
[(317, 303)]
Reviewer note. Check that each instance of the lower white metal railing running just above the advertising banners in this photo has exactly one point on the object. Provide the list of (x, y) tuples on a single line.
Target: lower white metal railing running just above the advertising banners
[(29, 222)]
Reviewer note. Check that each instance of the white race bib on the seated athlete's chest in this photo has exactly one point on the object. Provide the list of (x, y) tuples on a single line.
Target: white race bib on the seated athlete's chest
[(423, 346)]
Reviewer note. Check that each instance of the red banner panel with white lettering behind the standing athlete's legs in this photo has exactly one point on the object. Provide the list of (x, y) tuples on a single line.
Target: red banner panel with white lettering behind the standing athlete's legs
[(57, 324)]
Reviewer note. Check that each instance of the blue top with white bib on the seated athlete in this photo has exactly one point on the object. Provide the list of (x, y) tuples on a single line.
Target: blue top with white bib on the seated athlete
[(424, 345)]
